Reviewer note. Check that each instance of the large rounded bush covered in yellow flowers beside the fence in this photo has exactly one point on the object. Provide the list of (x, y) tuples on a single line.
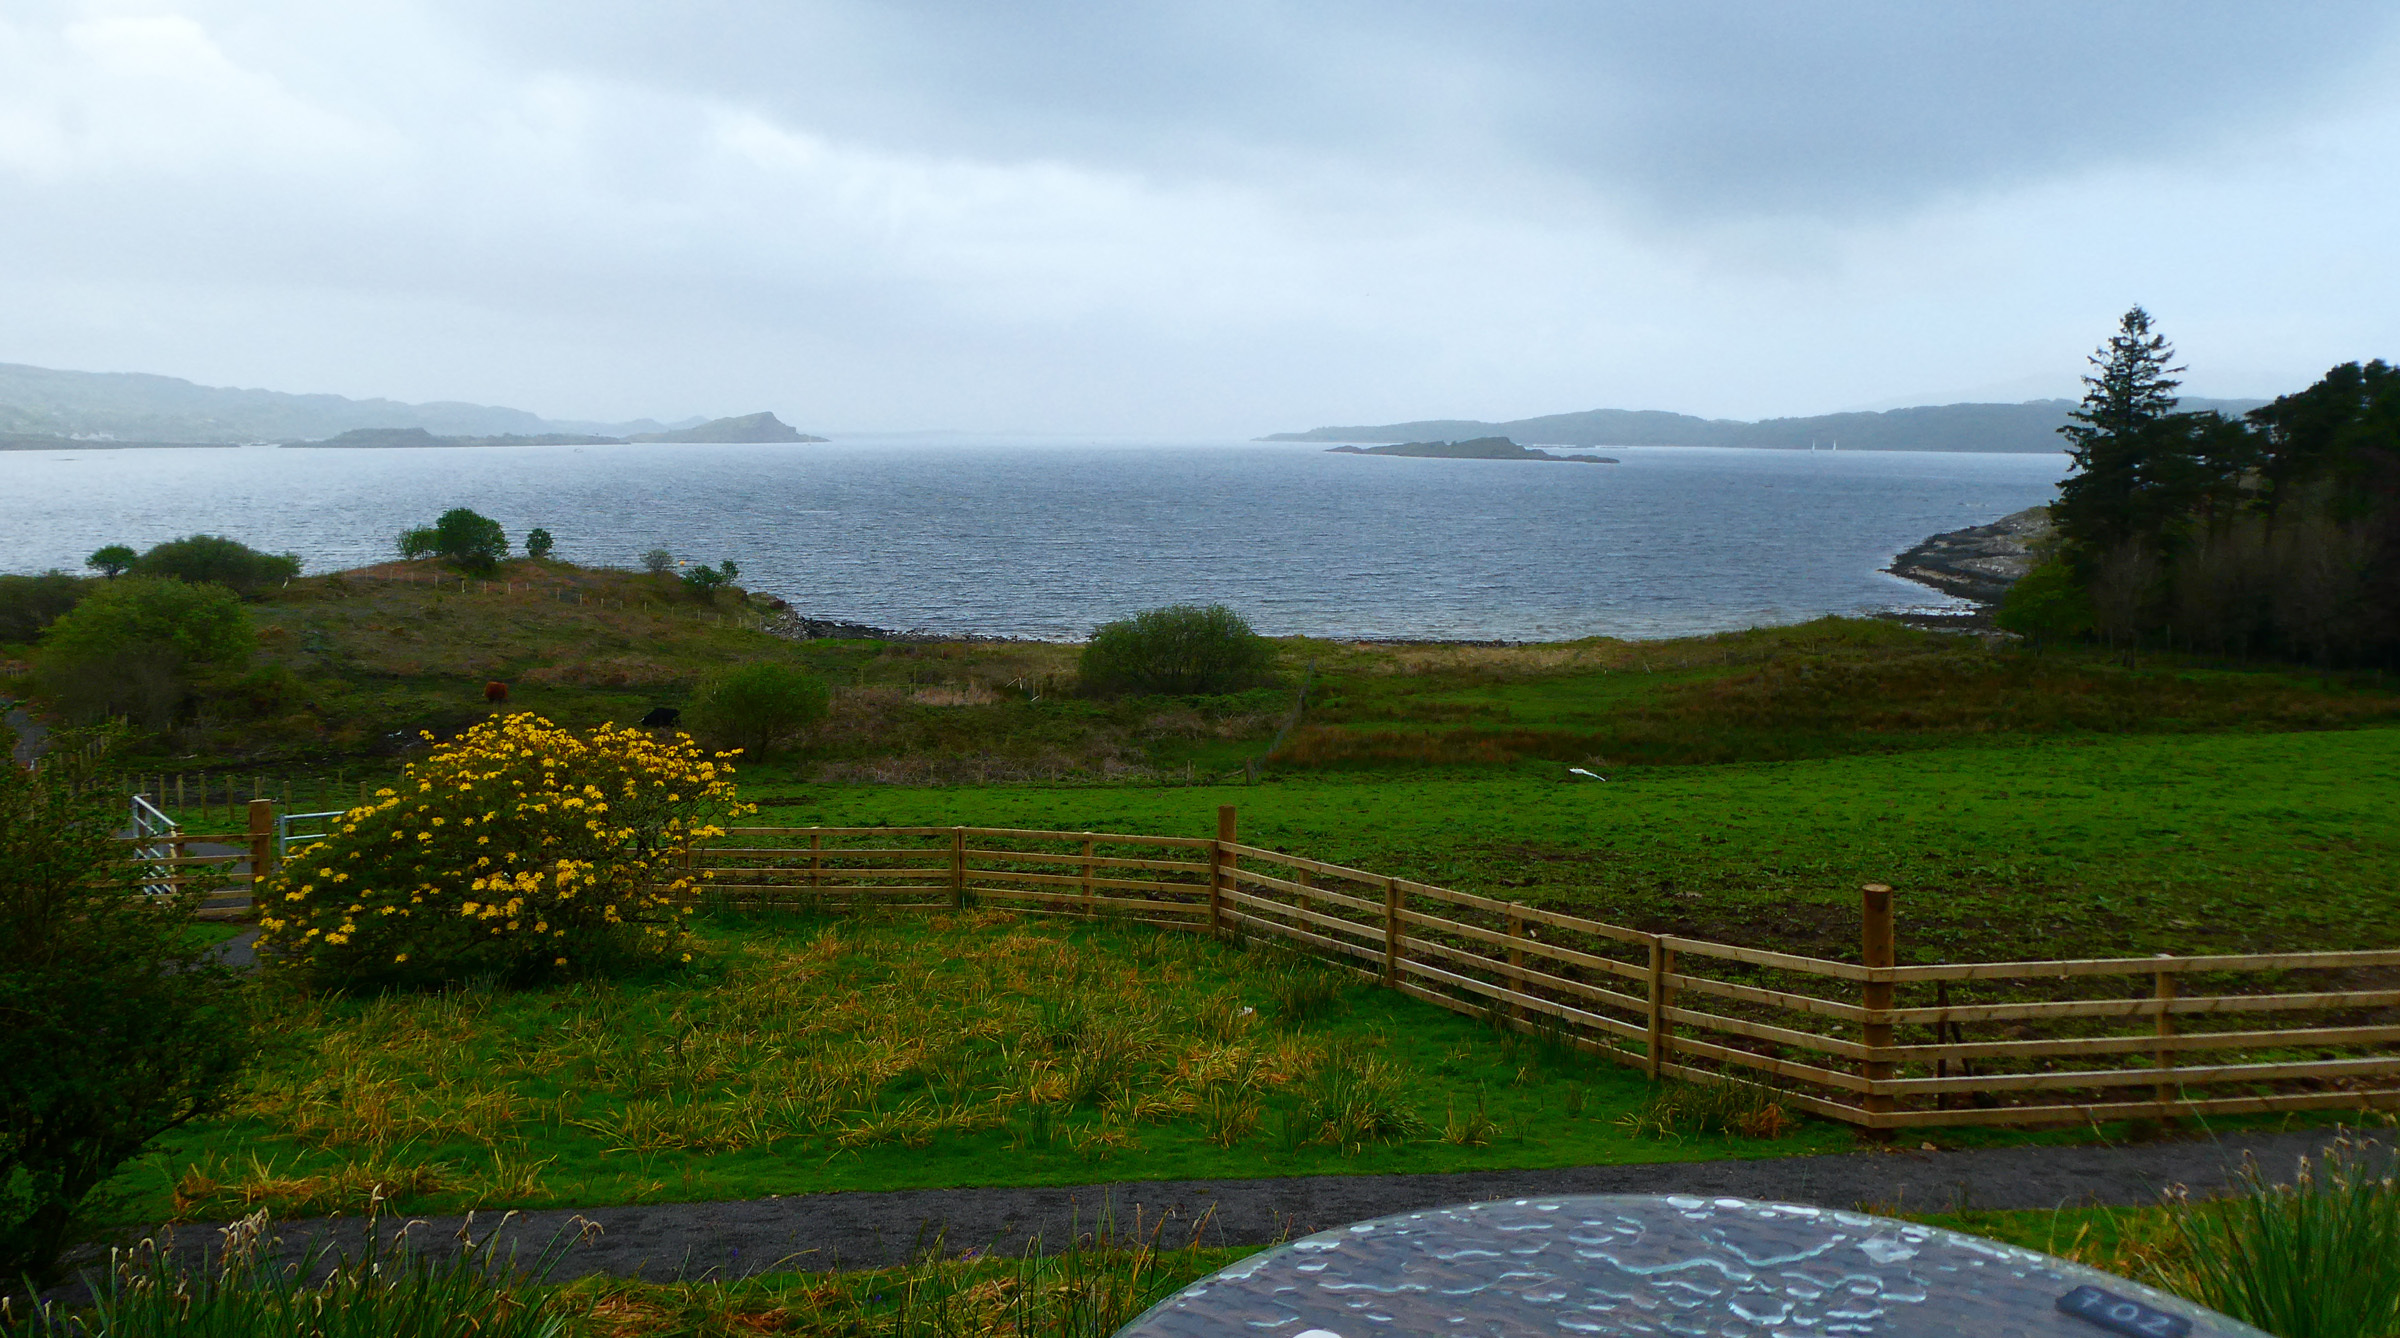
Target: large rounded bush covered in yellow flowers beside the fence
[(517, 850)]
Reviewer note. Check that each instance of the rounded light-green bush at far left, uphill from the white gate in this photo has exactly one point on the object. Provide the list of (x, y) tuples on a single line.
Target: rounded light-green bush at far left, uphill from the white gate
[(133, 646)]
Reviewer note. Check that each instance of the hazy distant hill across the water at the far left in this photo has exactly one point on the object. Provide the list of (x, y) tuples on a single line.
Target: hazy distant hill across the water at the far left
[(136, 406)]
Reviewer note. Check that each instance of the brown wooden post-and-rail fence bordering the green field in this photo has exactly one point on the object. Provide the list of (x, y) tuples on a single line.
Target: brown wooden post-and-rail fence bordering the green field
[(1864, 1042)]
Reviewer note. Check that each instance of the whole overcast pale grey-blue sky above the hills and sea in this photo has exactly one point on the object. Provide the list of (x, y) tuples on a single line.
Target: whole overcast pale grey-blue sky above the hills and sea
[(1220, 217)]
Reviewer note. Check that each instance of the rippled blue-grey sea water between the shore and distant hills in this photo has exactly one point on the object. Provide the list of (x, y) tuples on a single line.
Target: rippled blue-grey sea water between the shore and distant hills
[(1048, 538)]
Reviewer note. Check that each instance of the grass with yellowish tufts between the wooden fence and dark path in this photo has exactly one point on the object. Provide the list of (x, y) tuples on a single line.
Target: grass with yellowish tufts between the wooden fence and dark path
[(820, 1054)]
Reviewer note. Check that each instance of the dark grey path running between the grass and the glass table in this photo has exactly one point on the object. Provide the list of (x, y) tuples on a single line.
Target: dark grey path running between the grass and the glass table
[(875, 1229)]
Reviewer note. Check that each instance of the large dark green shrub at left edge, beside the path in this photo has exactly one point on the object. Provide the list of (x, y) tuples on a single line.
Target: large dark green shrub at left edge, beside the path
[(116, 1025)]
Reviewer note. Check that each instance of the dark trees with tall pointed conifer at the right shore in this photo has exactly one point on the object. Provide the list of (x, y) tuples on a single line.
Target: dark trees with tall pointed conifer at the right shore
[(2274, 534)]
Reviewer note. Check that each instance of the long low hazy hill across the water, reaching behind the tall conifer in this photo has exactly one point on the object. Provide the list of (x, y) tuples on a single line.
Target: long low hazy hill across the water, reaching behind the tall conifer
[(1933, 428)]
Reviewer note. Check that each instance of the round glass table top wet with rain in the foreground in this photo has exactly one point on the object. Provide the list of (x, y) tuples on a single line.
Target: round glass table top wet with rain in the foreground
[(1592, 1265)]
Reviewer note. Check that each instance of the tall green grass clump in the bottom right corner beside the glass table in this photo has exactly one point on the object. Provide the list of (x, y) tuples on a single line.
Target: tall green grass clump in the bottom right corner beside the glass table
[(2317, 1258)]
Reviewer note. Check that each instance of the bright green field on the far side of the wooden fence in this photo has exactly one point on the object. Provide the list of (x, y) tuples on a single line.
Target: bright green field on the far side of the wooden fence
[(2216, 843)]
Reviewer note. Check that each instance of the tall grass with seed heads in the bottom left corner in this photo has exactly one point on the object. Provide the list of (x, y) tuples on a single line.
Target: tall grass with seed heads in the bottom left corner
[(392, 1289)]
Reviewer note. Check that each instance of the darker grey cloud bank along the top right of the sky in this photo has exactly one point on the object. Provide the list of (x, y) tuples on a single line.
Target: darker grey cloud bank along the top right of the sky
[(1729, 109)]
